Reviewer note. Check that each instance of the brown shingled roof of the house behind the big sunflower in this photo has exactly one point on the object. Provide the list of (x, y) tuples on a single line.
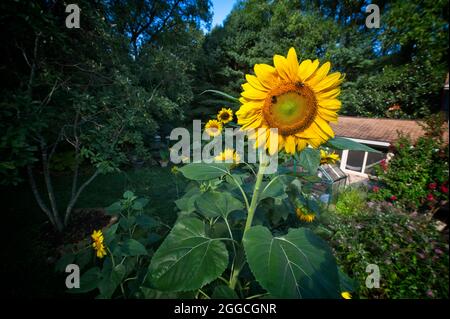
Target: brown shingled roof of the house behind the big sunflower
[(376, 129)]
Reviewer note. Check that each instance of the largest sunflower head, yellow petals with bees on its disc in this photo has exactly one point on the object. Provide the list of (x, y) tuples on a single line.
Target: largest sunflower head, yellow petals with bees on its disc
[(298, 99)]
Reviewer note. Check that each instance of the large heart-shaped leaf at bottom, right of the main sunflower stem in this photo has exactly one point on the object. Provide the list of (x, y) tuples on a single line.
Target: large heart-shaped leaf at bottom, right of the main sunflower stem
[(297, 265)]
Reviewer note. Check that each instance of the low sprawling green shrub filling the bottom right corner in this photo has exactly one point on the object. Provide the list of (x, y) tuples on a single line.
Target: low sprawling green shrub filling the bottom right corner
[(411, 254)]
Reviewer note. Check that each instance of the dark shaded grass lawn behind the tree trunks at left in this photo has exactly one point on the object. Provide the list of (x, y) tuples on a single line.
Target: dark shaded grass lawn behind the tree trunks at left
[(24, 268)]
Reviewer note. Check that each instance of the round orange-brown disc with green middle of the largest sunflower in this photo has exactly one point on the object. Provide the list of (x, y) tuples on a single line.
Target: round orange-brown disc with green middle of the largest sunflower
[(290, 107)]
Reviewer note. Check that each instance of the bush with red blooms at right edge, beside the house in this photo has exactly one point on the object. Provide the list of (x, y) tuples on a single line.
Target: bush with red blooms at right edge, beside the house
[(417, 175)]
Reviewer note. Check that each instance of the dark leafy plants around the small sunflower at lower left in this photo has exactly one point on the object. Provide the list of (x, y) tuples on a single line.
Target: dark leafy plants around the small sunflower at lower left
[(129, 248)]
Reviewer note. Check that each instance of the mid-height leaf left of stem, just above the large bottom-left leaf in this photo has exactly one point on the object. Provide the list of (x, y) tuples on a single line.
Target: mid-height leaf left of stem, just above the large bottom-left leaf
[(213, 204)]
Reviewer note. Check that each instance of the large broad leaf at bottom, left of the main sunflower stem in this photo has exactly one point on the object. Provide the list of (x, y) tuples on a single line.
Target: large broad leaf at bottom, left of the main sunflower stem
[(187, 259)]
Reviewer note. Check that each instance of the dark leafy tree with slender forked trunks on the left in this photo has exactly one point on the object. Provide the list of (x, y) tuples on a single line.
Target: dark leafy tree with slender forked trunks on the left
[(81, 90)]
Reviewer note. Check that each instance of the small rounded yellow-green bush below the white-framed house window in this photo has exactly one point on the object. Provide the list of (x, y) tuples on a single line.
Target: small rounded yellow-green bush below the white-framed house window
[(351, 201)]
